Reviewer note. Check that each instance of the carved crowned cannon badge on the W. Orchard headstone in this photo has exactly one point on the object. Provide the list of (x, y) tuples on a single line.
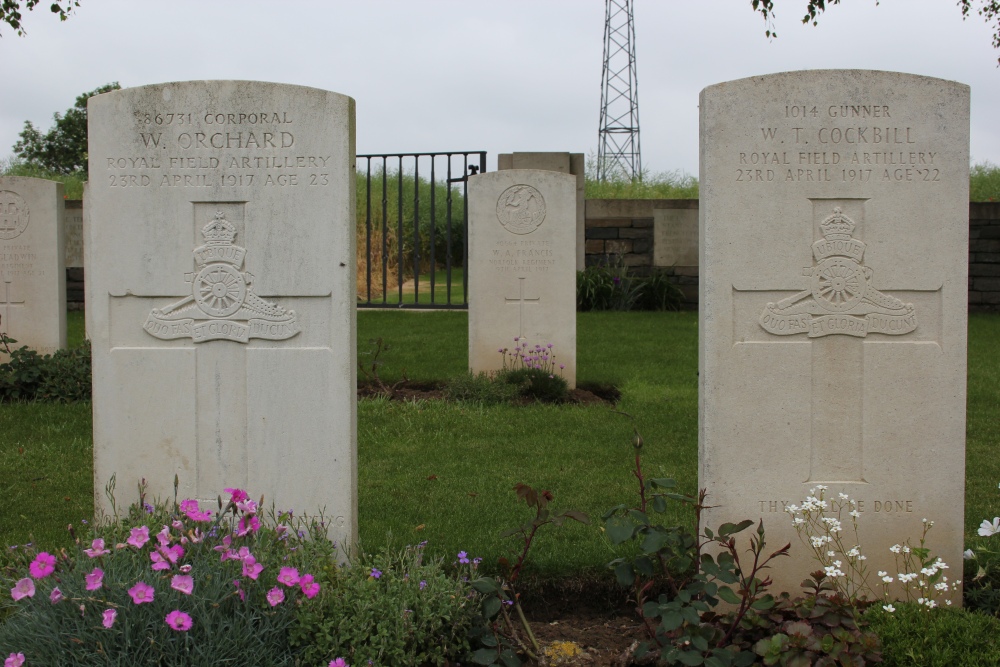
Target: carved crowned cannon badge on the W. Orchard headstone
[(222, 305)]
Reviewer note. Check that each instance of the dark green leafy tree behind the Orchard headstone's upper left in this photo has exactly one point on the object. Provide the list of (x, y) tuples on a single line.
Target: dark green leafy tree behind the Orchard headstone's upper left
[(63, 149)]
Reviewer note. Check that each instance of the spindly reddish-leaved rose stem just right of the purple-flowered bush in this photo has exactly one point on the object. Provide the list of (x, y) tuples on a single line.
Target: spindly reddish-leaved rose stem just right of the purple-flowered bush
[(502, 636)]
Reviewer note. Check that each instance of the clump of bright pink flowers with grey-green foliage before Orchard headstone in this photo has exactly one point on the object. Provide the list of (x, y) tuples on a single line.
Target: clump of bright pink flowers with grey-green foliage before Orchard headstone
[(207, 589)]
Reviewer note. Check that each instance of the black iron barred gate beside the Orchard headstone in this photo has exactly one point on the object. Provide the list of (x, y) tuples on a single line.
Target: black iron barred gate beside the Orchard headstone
[(412, 234)]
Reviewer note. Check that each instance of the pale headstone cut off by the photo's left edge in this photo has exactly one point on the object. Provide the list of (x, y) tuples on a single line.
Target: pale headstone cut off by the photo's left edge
[(32, 266)]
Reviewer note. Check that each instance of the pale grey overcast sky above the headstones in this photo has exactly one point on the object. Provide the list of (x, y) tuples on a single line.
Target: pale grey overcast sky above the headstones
[(500, 76)]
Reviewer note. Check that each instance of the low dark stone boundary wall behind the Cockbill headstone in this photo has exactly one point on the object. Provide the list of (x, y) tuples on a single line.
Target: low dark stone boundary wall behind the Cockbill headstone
[(623, 228)]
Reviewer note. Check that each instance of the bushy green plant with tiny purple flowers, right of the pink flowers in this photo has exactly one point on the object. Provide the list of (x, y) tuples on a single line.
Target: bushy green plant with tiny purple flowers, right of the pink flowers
[(393, 609)]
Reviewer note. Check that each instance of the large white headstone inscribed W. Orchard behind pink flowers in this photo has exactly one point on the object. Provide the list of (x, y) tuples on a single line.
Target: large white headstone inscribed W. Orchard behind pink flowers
[(220, 293)]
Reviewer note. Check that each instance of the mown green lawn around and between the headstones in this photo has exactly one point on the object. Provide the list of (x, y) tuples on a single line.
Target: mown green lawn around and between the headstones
[(444, 472)]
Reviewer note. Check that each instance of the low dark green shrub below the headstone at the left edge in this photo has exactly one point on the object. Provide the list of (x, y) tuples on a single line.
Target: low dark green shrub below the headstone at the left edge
[(60, 378)]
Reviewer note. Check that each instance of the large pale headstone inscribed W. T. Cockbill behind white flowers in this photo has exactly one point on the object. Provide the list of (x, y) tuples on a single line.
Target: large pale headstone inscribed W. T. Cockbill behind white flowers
[(834, 245)]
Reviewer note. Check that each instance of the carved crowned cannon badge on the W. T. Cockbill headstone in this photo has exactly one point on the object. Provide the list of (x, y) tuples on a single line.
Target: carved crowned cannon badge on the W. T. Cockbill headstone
[(841, 299)]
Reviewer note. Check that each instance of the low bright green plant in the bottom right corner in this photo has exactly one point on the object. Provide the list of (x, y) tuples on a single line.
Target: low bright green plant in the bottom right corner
[(913, 636)]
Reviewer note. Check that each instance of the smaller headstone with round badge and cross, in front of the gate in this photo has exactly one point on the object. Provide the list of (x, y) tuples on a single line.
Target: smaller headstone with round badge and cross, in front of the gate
[(522, 266)]
